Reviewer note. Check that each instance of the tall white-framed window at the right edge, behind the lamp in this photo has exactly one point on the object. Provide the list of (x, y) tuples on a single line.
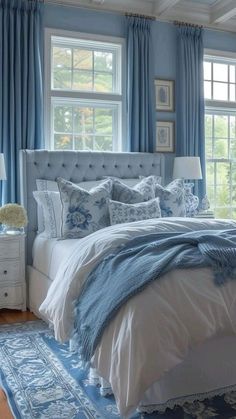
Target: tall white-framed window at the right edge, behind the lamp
[(220, 133)]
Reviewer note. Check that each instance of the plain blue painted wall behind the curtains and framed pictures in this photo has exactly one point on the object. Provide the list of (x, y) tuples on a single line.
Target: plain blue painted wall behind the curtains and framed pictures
[(164, 42)]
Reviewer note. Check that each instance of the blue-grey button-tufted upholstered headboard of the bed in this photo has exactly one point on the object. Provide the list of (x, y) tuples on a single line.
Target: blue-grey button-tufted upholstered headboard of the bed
[(78, 166)]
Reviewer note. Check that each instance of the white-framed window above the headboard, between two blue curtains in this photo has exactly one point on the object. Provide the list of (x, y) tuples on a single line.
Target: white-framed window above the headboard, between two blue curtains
[(84, 92)]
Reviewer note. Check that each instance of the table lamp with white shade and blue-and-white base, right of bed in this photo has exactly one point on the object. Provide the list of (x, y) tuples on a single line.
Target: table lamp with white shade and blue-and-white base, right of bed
[(188, 168)]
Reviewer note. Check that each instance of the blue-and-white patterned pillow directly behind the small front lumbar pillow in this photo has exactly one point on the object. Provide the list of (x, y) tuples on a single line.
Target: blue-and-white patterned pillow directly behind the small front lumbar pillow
[(143, 191)]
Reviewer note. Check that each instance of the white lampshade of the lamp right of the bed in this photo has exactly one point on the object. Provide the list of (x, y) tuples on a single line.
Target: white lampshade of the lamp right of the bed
[(187, 168)]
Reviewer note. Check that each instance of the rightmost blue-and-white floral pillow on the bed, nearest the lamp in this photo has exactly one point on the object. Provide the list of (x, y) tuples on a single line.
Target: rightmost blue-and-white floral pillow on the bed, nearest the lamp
[(172, 199)]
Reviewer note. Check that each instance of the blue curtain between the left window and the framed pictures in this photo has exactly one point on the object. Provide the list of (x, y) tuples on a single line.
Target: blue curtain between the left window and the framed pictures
[(140, 86)]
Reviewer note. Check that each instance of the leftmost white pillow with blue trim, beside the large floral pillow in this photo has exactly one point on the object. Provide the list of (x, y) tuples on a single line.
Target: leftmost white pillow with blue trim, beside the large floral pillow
[(50, 204)]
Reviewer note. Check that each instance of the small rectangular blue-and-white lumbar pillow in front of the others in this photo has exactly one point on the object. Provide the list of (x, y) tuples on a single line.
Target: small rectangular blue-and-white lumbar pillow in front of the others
[(128, 213)]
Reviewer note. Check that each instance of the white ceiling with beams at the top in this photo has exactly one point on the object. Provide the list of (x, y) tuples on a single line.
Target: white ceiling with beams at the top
[(209, 13)]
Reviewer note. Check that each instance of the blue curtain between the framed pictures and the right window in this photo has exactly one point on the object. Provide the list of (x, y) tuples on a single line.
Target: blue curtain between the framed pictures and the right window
[(190, 99)]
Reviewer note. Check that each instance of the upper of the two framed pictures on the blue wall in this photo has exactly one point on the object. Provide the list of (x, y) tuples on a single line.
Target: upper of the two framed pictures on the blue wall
[(164, 95)]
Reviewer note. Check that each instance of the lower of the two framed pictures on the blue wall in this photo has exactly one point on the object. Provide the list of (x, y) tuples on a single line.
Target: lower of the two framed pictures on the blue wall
[(165, 136)]
